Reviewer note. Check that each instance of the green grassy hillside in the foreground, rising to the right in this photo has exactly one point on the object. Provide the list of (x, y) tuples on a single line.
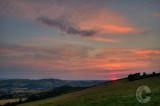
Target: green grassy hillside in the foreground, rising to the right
[(120, 92)]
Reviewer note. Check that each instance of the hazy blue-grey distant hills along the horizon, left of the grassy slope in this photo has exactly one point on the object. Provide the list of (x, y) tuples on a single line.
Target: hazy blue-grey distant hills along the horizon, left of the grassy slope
[(19, 85)]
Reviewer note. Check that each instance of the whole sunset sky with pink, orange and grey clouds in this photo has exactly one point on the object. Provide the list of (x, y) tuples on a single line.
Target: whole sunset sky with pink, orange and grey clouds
[(79, 39)]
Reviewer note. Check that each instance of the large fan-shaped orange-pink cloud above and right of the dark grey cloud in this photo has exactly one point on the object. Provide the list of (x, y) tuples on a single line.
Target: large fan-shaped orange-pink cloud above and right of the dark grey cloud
[(108, 22)]
